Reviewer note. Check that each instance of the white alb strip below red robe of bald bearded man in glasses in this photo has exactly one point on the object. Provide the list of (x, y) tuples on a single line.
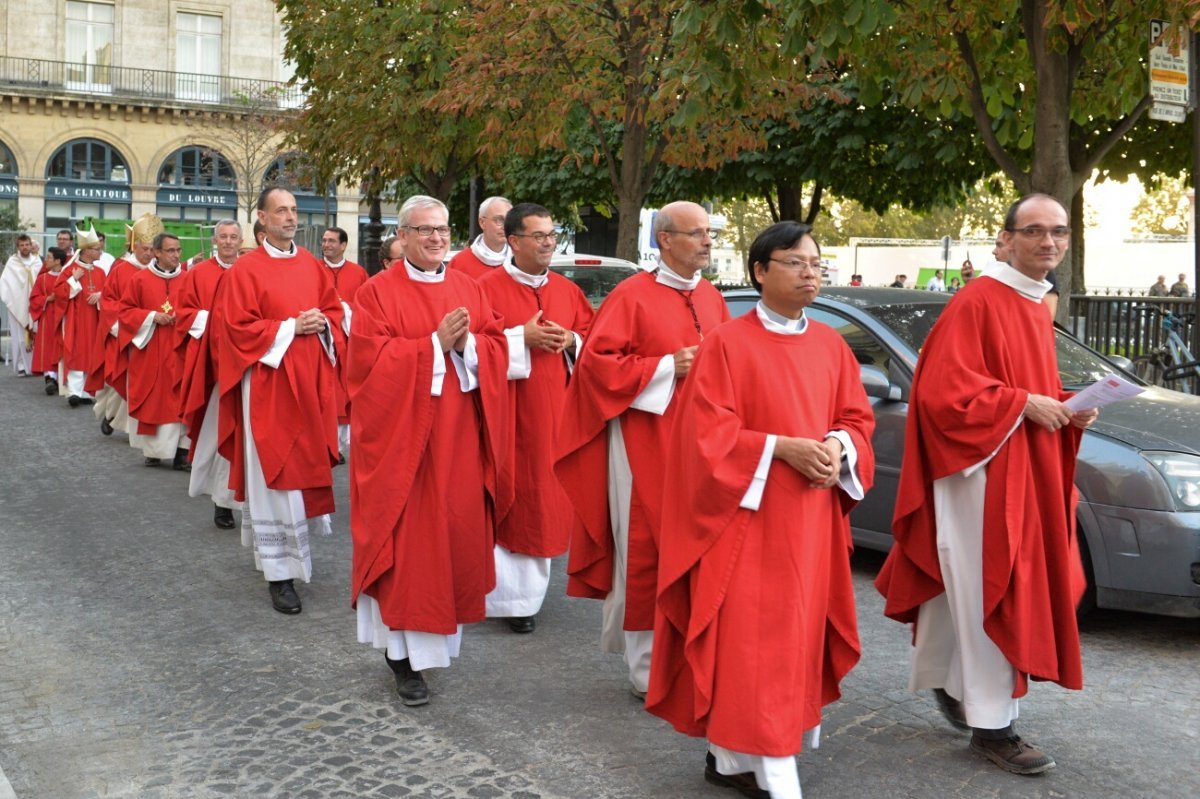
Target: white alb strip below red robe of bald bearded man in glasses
[(635, 645)]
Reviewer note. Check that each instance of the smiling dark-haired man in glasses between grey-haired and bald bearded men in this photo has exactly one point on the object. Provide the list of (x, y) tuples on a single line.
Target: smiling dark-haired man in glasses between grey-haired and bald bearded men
[(545, 317)]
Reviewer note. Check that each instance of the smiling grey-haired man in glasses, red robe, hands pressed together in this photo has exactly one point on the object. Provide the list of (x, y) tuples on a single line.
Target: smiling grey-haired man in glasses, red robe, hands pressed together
[(428, 374)]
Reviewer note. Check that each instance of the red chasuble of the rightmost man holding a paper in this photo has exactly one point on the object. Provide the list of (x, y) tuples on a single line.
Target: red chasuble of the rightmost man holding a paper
[(988, 352)]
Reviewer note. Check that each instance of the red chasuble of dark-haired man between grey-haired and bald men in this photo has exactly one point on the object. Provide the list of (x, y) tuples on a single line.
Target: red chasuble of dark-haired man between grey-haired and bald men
[(542, 515)]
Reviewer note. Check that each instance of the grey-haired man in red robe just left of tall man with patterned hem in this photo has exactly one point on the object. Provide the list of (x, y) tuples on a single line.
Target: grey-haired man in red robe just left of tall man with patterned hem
[(199, 377)]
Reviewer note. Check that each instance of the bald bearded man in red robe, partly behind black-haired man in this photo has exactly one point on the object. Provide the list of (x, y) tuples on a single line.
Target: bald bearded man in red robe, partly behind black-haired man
[(619, 411)]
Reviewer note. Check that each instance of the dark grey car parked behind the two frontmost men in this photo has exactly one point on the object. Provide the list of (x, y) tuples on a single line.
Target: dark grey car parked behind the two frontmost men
[(1139, 465)]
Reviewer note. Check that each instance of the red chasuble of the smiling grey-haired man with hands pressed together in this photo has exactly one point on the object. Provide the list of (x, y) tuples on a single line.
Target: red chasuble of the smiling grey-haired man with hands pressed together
[(425, 471)]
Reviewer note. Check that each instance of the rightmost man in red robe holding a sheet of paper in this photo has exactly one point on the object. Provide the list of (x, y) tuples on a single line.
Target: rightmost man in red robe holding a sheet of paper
[(986, 561)]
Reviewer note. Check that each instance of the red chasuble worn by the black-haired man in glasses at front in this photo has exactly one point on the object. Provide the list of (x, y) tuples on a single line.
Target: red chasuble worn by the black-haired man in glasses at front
[(755, 624)]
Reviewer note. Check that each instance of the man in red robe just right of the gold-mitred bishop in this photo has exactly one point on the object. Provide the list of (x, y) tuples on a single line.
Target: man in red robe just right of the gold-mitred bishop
[(147, 319)]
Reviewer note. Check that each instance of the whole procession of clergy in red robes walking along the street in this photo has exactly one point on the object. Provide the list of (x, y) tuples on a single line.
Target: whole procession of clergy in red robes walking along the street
[(699, 471)]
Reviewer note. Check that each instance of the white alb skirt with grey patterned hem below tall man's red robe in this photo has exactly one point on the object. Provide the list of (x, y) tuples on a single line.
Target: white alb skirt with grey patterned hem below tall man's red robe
[(274, 522)]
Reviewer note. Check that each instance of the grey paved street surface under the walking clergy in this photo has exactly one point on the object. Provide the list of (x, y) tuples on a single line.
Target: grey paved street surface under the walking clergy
[(140, 658)]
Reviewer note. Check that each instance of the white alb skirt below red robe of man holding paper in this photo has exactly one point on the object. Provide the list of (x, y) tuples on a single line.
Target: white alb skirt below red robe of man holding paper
[(952, 651)]
